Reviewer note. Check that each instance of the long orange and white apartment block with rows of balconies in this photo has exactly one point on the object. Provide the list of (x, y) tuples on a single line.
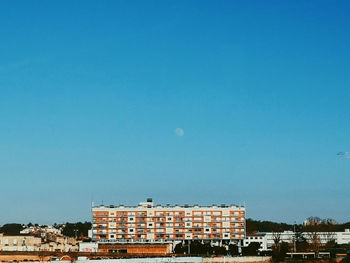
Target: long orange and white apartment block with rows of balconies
[(147, 222)]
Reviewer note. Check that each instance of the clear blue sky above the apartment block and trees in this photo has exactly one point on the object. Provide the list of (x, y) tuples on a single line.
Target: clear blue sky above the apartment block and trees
[(91, 93)]
